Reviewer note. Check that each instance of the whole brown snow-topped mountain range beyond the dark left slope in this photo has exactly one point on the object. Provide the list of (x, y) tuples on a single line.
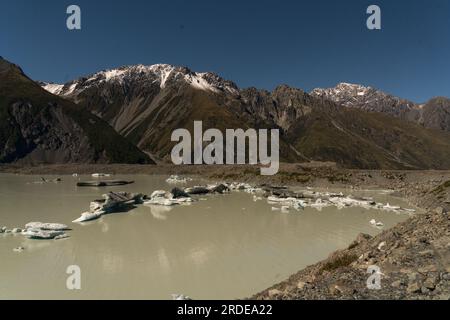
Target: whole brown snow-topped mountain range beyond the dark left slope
[(145, 104)]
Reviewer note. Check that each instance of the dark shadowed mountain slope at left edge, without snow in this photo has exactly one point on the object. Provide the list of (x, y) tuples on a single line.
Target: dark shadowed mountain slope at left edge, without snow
[(38, 127)]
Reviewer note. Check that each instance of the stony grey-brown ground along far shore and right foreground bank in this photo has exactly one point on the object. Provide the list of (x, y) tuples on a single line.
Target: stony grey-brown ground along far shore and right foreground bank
[(413, 257)]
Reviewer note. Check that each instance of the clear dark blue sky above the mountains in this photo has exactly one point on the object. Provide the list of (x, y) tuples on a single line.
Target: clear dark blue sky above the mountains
[(261, 43)]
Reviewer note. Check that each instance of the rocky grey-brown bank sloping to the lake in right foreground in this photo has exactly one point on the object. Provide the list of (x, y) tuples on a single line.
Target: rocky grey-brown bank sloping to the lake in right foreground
[(412, 258)]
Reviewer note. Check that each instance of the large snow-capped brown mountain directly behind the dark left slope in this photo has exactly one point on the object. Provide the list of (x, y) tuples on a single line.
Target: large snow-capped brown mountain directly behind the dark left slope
[(141, 102)]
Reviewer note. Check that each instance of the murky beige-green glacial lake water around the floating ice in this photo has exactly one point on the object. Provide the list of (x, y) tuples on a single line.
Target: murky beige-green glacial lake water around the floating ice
[(221, 247)]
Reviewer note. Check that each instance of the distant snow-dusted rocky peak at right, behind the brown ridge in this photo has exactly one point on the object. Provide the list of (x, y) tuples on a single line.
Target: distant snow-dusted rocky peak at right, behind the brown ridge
[(365, 98)]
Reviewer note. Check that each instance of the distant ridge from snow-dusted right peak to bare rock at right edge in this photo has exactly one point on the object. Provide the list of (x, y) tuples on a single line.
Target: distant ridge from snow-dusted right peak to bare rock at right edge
[(433, 114)]
